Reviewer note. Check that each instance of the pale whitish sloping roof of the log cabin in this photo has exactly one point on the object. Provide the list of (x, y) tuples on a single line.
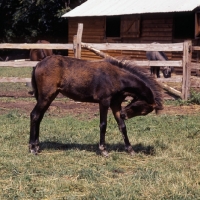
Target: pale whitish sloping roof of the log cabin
[(127, 7)]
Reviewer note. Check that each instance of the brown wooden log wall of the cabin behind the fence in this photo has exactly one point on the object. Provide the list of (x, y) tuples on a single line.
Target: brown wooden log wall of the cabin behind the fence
[(153, 28)]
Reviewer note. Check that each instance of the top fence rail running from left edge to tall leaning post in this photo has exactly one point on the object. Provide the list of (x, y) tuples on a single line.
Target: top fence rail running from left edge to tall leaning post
[(35, 46)]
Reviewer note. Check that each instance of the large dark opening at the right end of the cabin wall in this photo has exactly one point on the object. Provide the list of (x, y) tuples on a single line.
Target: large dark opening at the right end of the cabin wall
[(184, 25)]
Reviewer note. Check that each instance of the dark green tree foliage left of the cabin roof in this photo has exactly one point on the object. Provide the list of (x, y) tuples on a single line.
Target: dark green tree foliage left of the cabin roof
[(24, 21)]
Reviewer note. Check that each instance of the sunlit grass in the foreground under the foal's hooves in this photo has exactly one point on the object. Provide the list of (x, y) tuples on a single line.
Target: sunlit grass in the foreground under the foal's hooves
[(166, 165)]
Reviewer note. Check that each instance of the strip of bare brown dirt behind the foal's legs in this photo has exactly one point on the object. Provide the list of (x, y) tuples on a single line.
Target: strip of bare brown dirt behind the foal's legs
[(62, 106)]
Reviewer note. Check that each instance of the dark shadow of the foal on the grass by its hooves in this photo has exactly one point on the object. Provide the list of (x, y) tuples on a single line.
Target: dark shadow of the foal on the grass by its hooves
[(138, 148)]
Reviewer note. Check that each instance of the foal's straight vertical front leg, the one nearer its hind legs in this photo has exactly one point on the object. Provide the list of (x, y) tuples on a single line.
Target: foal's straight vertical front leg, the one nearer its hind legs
[(103, 125)]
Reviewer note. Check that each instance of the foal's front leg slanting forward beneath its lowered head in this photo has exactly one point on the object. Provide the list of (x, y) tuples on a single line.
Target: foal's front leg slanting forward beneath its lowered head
[(116, 108)]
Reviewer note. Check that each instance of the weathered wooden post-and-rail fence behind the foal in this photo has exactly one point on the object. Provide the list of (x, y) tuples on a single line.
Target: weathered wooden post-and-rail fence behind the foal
[(185, 47)]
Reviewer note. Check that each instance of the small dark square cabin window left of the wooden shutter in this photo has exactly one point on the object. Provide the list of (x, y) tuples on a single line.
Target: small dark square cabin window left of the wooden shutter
[(113, 26)]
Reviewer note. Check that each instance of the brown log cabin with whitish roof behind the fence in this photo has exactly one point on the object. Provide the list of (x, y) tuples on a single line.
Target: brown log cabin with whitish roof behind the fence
[(135, 21)]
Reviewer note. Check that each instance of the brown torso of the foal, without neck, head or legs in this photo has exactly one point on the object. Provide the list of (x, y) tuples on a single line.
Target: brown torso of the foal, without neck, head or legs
[(78, 79)]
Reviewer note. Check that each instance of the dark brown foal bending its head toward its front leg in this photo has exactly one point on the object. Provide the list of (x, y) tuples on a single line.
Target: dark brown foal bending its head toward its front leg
[(106, 82)]
